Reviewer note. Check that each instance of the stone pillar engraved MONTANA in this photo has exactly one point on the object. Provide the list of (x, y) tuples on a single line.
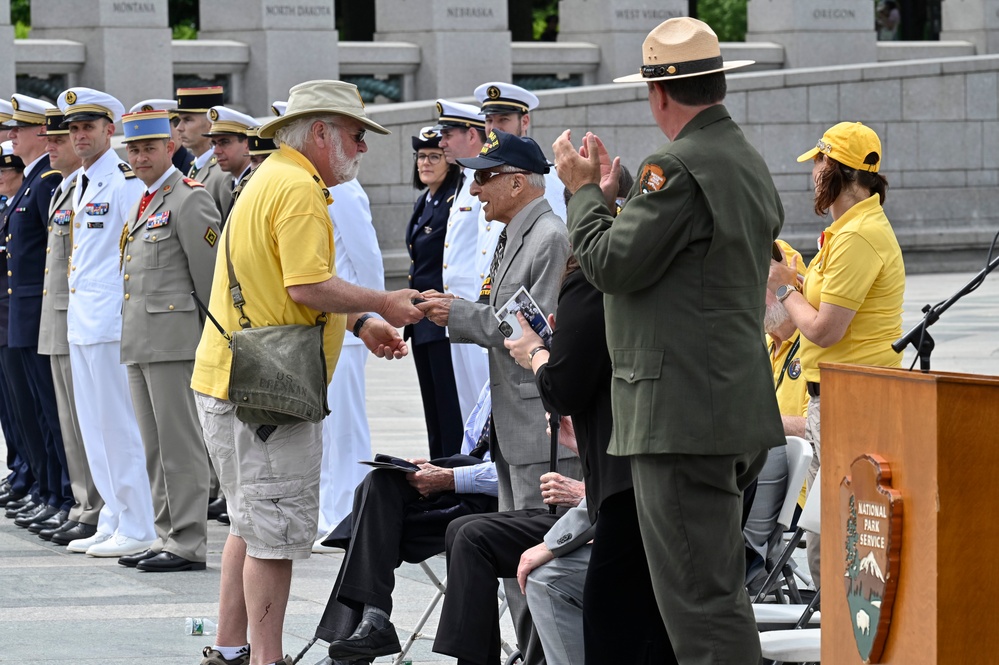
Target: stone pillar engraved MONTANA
[(127, 43)]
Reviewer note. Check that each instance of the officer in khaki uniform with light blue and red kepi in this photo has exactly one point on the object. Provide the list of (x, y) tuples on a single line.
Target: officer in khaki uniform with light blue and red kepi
[(168, 251)]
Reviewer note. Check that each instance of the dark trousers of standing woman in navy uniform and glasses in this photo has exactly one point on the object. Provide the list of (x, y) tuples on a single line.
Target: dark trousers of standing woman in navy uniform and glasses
[(441, 408)]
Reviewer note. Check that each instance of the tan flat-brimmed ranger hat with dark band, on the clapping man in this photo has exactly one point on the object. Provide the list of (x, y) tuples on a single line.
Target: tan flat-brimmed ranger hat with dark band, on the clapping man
[(680, 48)]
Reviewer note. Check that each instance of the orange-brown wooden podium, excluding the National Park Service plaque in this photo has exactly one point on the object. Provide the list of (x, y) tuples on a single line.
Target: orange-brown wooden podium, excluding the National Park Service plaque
[(939, 433)]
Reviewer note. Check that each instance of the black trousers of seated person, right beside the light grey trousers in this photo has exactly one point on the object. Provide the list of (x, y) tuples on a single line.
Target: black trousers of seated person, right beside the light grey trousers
[(481, 549)]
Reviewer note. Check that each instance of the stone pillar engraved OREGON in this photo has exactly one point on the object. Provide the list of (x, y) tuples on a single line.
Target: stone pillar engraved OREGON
[(816, 33)]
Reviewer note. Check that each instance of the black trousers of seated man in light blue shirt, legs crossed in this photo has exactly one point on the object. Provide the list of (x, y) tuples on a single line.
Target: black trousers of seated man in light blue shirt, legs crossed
[(389, 524)]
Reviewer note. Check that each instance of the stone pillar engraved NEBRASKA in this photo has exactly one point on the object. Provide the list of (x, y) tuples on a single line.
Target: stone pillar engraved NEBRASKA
[(463, 42)]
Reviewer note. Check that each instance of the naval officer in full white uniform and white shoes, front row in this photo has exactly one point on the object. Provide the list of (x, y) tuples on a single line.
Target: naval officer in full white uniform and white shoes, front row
[(105, 192)]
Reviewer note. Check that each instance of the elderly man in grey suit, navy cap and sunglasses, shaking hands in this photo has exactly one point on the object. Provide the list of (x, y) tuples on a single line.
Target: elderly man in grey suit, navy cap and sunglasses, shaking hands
[(531, 252)]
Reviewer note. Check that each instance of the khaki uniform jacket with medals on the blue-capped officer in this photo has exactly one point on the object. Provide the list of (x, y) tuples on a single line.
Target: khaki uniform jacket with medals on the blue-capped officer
[(169, 252)]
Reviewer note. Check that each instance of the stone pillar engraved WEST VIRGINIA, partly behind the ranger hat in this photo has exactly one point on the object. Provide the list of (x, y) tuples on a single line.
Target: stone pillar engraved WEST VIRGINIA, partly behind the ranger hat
[(618, 27)]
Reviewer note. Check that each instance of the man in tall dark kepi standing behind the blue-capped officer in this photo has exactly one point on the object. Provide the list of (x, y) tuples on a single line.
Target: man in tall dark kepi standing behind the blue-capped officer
[(193, 105)]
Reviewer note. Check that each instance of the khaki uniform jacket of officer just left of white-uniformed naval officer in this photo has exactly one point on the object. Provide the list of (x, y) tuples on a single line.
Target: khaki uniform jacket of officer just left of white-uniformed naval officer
[(52, 339)]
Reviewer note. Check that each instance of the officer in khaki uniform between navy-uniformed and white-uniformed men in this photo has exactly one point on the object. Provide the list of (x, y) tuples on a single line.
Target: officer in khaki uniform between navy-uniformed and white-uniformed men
[(52, 340)]
